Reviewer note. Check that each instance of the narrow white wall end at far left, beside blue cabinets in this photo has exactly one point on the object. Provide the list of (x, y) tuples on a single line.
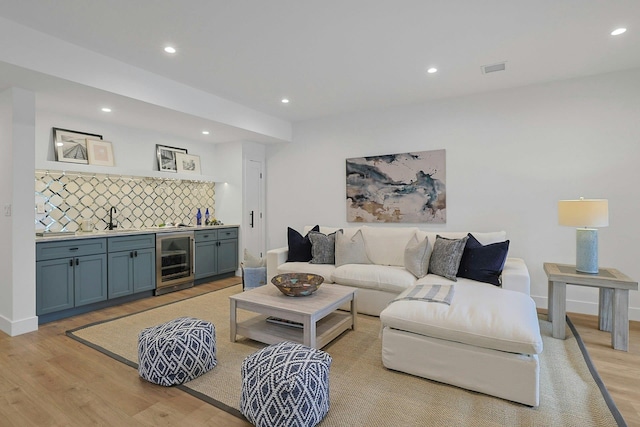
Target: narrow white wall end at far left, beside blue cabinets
[(17, 283)]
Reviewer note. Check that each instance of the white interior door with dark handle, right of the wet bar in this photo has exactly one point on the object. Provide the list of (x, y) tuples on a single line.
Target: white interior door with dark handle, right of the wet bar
[(253, 230)]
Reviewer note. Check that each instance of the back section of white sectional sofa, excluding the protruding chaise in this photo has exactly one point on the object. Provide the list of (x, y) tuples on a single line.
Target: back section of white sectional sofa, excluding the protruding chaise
[(381, 281)]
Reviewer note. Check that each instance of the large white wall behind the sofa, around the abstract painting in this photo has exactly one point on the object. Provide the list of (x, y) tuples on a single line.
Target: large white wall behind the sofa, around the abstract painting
[(511, 155)]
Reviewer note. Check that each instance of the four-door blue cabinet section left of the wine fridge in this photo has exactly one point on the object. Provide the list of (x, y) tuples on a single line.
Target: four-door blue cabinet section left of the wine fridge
[(79, 275)]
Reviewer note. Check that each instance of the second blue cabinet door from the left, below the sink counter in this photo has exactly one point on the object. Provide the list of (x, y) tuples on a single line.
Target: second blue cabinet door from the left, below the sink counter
[(90, 278)]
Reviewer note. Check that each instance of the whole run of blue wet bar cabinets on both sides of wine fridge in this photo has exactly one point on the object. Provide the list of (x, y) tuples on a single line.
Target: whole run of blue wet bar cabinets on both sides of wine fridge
[(82, 273)]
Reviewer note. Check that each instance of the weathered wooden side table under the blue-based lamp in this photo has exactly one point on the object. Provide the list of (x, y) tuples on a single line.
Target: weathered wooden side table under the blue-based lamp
[(613, 307)]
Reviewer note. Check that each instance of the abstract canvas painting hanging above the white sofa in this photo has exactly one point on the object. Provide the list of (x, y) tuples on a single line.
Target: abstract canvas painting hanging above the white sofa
[(407, 187)]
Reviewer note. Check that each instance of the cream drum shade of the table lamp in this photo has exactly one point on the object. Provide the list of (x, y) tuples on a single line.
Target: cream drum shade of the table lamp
[(583, 212)]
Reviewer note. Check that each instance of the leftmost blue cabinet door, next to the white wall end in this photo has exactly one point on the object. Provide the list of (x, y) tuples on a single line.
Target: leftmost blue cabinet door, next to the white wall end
[(54, 285)]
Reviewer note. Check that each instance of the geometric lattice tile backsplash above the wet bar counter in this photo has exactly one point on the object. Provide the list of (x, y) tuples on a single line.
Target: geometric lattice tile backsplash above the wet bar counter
[(70, 197)]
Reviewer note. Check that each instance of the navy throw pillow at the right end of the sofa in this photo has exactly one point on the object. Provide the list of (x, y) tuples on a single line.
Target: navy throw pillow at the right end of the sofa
[(483, 263)]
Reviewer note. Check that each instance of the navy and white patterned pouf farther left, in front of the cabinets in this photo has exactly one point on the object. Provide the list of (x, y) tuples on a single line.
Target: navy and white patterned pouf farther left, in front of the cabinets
[(178, 351)]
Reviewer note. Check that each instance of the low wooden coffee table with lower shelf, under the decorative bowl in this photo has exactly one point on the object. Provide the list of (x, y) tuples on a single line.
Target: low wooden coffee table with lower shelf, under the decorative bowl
[(318, 313)]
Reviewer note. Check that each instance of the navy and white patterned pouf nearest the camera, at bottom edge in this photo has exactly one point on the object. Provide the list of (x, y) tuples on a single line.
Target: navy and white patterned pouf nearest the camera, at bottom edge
[(285, 384)]
